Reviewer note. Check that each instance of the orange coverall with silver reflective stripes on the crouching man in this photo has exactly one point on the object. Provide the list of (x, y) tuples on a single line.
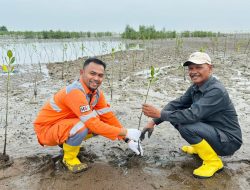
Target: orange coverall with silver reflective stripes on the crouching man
[(73, 109)]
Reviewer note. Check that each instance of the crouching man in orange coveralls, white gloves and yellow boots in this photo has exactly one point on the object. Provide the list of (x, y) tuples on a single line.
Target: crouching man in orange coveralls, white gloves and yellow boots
[(78, 111)]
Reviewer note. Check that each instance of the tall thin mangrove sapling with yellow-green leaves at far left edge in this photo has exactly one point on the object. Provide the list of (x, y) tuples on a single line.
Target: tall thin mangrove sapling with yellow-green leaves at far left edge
[(7, 68)]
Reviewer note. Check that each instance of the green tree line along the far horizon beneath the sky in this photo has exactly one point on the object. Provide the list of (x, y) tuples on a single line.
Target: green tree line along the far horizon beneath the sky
[(144, 33)]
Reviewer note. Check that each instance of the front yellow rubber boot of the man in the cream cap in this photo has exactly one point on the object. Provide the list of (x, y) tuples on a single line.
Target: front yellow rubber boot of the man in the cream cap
[(211, 162)]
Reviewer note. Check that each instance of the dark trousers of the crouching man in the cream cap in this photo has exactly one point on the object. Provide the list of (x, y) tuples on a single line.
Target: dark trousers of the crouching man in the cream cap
[(218, 140)]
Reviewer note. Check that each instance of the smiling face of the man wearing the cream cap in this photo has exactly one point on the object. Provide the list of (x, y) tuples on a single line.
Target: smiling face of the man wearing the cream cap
[(199, 73)]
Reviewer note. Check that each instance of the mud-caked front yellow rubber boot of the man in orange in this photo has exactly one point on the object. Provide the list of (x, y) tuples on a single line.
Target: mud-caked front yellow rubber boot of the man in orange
[(70, 159)]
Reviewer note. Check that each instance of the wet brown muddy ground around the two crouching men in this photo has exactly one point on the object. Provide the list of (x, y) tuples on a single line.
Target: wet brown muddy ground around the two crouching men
[(112, 164)]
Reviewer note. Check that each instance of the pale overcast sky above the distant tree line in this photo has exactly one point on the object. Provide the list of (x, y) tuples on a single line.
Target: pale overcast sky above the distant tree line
[(114, 15)]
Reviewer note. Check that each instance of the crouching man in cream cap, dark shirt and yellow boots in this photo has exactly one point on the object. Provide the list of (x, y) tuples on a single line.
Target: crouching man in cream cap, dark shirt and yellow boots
[(204, 116)]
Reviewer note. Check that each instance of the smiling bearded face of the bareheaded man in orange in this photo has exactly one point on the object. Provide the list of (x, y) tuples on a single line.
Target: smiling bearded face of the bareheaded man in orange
[(92, 75)]
